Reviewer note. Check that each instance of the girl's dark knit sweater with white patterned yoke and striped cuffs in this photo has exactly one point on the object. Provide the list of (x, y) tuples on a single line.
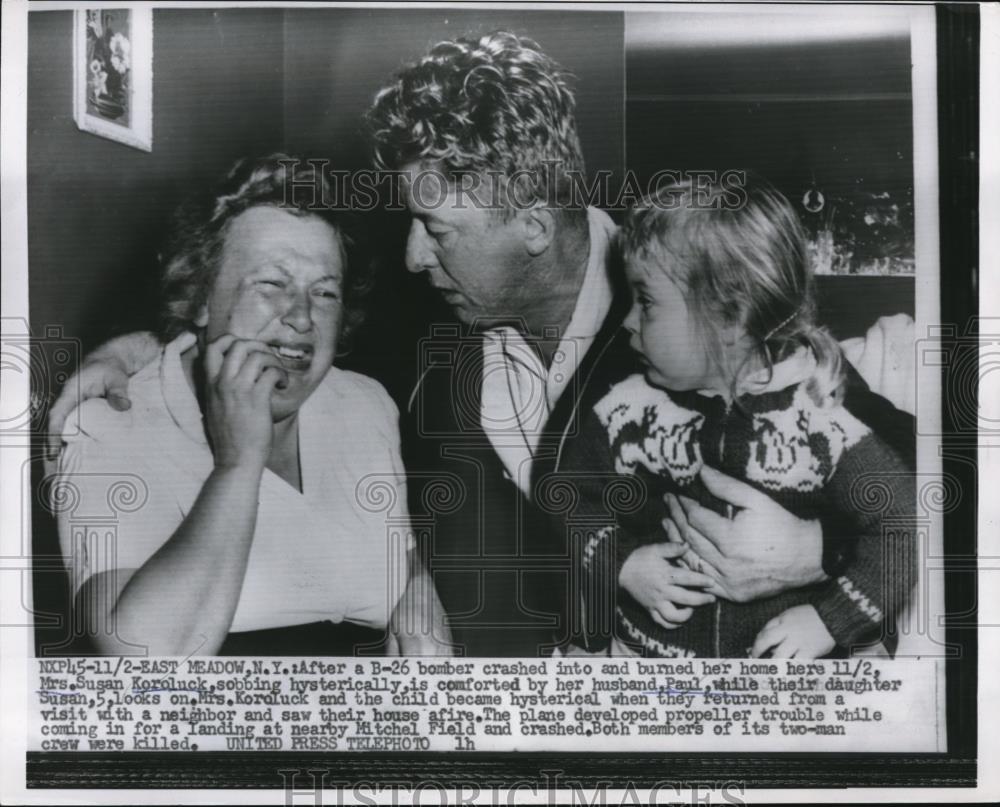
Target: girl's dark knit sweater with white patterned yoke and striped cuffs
[(818, 462)]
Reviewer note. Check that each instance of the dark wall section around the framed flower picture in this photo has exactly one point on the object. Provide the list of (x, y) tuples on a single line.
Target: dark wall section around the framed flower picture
[(97, 208)]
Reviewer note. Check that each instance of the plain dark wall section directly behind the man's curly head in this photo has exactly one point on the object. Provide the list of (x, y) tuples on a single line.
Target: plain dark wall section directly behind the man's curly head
[(337, 59)]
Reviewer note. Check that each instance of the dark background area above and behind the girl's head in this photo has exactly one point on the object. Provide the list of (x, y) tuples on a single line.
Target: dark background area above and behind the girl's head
[(833, 116)]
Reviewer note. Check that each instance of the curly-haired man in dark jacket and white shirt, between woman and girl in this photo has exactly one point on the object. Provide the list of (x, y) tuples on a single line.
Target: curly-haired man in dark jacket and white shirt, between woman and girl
[(483, 134)]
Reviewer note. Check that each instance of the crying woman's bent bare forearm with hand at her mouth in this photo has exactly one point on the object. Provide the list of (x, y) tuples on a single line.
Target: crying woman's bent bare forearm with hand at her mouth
[(211, 547)]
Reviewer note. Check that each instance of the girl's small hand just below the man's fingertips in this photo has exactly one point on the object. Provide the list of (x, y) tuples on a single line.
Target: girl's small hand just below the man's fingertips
[(669, 592)]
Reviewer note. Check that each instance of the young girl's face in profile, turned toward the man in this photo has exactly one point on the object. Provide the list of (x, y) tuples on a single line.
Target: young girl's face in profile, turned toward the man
[(664, 331)]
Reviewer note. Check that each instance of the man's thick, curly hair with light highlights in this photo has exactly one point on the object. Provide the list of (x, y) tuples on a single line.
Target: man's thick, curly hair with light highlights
[(492, 104)]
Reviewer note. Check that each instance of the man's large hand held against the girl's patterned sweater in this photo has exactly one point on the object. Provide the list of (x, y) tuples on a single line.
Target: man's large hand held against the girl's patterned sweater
[(762, 551)]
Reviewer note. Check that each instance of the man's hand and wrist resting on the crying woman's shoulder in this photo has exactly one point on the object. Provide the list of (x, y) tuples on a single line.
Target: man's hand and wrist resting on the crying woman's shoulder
[(103, 374)]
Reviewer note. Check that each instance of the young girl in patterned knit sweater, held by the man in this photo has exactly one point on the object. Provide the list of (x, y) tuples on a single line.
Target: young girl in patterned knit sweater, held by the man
[(738, 378)]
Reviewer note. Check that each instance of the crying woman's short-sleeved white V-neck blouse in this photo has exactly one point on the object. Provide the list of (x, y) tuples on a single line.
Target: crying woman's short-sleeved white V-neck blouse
[(336, 551)]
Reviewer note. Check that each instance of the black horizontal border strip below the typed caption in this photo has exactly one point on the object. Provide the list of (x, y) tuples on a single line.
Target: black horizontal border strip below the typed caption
[(370, 770)]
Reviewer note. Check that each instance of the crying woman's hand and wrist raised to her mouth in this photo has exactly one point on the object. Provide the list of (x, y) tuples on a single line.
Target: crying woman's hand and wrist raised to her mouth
[(240, 376)]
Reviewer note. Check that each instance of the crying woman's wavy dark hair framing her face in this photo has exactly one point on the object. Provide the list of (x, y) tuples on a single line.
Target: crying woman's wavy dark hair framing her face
[(192, 254)]
